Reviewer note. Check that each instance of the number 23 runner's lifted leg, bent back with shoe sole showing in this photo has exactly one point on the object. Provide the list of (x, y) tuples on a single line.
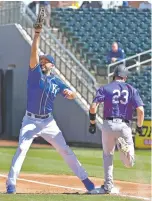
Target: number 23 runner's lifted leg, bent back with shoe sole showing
[(126, 146)]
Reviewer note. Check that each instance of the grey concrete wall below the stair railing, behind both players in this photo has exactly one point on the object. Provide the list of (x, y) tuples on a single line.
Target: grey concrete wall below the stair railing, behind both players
[(71, 118)]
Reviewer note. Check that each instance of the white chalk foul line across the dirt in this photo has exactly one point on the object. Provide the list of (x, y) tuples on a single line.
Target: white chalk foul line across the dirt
[(79, 189)]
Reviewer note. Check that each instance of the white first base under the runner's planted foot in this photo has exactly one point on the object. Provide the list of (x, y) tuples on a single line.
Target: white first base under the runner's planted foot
[(102, 190)]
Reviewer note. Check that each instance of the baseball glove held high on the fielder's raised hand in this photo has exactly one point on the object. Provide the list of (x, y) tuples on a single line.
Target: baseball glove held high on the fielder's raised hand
[(40, 18)]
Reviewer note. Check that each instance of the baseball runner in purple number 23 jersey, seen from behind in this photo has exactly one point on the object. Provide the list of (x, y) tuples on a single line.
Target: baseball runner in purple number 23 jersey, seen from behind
[(120, 99)]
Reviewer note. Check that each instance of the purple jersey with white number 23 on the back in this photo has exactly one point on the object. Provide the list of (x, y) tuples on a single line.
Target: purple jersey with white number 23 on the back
[(120, 100)]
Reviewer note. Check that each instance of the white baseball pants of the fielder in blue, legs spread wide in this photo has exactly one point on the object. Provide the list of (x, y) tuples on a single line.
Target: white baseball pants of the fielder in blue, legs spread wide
[(47, 129)]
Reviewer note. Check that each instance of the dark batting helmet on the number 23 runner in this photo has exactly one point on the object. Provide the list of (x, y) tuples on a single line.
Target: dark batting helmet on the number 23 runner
[(120, 71)]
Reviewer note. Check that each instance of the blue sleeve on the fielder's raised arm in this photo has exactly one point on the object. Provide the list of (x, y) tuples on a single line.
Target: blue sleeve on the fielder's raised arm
[(34, 74)]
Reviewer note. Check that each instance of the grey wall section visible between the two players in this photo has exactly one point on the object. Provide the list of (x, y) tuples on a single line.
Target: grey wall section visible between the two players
[(73, 122)]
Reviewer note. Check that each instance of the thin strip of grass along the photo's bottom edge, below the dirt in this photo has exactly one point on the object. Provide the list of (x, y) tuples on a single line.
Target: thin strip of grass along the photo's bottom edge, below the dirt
[(62, 197)]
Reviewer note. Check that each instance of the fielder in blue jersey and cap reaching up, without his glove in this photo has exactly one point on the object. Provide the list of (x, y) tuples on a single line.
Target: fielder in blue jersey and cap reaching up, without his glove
[(42, 89)]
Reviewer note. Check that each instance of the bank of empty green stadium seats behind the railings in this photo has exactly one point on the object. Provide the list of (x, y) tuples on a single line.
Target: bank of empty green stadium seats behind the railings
[(92, 31)]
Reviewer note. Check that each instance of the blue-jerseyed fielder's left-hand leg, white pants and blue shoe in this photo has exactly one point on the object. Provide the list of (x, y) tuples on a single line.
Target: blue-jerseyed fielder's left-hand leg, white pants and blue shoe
[(27, 134)]
